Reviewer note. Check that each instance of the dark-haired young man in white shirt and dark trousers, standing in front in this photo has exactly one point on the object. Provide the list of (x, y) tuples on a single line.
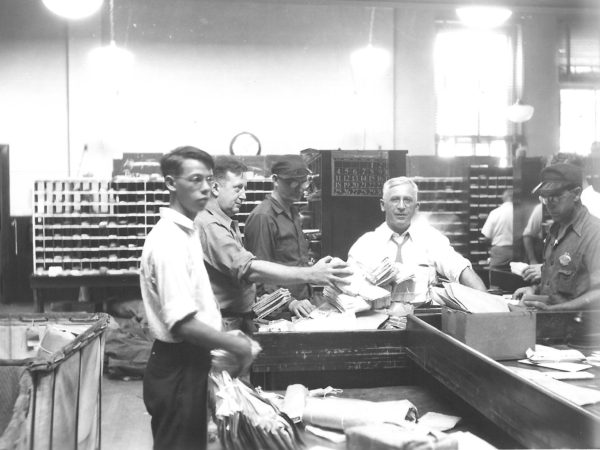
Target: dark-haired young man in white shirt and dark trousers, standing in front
[(182, 312)]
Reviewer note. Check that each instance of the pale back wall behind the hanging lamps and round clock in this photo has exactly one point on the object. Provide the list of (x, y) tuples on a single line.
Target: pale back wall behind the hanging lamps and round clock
[(205, 71)]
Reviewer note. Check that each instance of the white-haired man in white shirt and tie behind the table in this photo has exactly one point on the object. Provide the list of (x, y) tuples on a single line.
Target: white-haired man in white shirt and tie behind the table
[(404, 239)]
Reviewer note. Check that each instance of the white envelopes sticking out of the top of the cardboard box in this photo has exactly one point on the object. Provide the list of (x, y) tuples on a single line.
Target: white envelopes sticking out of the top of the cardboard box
[(464, 298)]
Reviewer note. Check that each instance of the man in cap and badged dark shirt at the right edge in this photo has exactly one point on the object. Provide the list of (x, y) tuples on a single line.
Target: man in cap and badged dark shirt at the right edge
[(571, 270)]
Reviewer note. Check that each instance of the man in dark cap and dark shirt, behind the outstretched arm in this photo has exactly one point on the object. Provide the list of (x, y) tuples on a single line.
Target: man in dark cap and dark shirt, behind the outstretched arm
[(273, 231)]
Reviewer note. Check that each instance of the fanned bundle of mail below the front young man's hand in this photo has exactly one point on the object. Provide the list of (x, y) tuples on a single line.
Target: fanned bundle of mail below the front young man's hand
[(247, 420)]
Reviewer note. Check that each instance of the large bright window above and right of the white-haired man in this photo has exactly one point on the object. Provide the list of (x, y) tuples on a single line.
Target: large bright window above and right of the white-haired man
[(473, 79)]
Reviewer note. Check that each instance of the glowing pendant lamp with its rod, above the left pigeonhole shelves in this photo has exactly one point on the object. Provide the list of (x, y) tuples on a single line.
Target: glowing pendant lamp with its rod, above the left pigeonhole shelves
[(111, 63)]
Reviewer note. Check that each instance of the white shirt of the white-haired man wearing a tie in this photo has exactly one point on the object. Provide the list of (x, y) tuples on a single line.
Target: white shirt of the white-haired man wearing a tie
[(425, 245)]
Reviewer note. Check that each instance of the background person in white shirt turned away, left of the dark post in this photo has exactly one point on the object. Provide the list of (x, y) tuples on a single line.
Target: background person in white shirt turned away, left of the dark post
[(498, 230)]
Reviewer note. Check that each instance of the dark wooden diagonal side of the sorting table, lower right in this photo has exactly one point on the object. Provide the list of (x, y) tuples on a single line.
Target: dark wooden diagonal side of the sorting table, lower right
[(531, 414)]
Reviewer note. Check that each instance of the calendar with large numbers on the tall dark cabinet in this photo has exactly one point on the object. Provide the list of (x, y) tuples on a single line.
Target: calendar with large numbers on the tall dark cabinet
[(358, 175)]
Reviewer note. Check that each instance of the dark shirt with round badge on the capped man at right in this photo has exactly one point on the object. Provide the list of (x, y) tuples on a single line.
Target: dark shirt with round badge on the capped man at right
[(572, 258)]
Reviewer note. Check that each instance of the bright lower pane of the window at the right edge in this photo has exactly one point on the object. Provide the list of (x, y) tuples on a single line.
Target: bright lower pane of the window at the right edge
[(579, 119)]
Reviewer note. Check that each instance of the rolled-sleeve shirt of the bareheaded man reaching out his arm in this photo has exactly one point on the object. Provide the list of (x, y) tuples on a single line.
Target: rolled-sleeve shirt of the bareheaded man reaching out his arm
[(227, 261)]
